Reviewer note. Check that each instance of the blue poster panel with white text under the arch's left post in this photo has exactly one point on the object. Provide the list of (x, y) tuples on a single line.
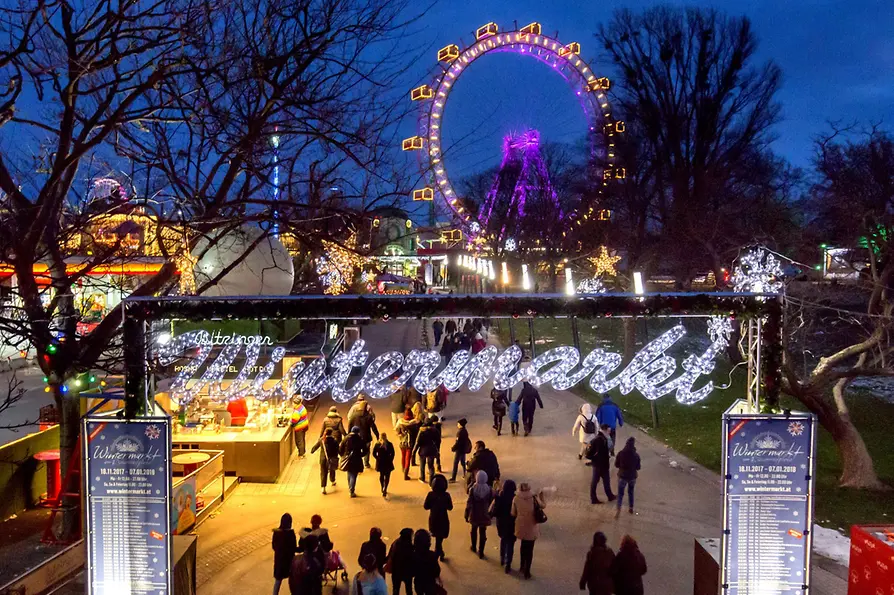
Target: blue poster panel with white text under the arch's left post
[(128, 486)]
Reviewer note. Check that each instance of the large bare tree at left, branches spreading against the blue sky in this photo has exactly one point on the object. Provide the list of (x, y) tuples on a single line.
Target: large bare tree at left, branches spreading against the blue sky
[(196, 103)]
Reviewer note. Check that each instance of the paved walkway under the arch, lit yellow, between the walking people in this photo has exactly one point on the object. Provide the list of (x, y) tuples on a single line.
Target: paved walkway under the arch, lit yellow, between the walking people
[(675, 504)]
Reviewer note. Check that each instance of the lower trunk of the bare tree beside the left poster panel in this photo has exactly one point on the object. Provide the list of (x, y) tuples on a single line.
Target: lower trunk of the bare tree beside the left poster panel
[(69, 428)]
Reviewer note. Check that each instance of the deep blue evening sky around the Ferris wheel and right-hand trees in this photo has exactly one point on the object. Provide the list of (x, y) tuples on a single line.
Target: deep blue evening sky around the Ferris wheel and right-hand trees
[(837, 59)]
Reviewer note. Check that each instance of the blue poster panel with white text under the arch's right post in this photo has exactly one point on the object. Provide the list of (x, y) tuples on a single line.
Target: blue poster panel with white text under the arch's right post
[(769, 465)]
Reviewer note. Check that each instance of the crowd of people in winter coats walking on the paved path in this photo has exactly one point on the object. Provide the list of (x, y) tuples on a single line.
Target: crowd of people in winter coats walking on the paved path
[(307, 559)]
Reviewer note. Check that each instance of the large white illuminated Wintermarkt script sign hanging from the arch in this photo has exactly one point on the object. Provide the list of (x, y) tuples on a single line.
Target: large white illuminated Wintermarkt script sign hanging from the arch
[(651, 371)]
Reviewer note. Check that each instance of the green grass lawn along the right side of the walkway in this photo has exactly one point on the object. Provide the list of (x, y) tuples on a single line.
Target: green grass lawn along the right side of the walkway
[(694, 430)]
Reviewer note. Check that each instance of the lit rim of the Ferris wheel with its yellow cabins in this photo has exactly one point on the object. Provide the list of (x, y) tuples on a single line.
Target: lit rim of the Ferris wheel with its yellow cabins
[(526, 41)]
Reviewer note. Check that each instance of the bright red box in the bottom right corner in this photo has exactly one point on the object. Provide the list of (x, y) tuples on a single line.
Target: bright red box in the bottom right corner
[(872, 560)]
